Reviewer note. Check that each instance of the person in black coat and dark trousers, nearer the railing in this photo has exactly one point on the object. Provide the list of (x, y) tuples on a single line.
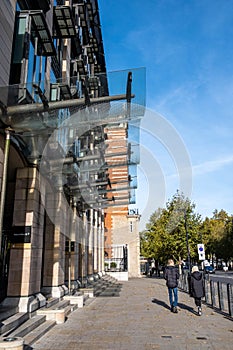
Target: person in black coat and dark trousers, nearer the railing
[(197, 290)]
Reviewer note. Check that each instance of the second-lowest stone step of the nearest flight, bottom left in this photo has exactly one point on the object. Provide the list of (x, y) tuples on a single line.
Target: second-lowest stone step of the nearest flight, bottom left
[(27, 326)]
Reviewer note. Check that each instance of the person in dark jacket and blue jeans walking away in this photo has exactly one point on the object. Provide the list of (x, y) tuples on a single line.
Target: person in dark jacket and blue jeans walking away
[(171, 275)]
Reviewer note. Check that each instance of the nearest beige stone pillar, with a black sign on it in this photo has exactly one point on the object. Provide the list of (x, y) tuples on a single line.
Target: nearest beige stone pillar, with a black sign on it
[(27, 240)]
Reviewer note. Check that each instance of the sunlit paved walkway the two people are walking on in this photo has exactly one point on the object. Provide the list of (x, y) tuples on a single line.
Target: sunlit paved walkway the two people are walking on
[(140, 319)]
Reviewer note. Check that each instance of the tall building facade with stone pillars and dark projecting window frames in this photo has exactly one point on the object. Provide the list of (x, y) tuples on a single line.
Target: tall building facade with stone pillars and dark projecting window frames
[(56, 113)]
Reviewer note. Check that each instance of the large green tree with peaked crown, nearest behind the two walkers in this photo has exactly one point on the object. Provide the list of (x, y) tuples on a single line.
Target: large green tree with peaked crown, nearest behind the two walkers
[(168, 229)]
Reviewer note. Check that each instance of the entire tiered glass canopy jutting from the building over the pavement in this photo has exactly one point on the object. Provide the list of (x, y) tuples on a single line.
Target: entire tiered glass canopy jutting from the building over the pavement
[(66, 138)]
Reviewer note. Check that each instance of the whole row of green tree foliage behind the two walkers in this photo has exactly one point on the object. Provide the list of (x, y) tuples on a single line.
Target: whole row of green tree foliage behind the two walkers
[(176, 229)]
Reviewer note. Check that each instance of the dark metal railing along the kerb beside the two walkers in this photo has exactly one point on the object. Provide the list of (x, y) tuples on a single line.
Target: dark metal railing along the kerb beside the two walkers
[(218, 295)]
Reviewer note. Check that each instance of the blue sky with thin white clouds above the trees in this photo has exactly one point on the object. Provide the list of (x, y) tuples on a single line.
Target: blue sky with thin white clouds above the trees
[(186, 47)]
